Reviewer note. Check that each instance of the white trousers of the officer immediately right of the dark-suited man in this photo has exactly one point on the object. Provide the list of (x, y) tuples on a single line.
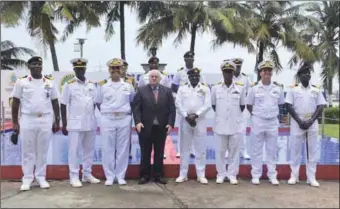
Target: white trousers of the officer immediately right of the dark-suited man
[(193, 137)]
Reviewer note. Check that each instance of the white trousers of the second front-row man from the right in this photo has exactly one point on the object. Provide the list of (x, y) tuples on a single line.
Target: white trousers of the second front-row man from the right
[(264, 133)]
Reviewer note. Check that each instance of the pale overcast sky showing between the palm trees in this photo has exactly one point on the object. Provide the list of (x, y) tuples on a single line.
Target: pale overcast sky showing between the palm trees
[(98, 51)]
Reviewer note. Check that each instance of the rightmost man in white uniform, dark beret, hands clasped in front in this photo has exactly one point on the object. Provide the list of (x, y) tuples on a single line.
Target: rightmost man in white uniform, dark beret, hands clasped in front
[(304, 103)]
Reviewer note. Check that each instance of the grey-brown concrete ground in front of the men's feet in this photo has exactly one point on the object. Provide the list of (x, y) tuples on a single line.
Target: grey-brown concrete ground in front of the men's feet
[(186, 195)]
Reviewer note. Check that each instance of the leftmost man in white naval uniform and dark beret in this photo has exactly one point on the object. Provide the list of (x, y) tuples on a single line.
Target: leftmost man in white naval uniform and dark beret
[(37, 97)]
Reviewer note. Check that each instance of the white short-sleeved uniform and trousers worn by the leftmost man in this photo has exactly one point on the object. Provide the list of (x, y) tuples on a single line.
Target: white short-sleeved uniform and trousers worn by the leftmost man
[(36, 119)]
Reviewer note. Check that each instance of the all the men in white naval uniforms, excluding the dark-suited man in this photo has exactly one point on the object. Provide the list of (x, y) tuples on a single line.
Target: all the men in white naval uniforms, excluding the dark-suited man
[(37, 96)]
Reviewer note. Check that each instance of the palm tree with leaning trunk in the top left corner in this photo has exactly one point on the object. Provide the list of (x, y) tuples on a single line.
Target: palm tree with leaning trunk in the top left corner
[(41, 16)]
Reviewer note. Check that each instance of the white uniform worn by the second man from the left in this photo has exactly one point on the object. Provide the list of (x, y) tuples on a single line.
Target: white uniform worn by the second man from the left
[(79, 98)]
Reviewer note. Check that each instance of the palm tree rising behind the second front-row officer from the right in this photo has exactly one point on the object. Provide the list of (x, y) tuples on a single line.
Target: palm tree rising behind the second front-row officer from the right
[(274, 22)]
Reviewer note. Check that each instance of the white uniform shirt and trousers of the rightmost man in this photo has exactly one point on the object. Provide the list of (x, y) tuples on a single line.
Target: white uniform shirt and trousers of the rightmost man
[(305, 102)]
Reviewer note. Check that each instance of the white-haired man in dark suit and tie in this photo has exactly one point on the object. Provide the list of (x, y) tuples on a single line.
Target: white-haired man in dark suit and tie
[(154, 112)]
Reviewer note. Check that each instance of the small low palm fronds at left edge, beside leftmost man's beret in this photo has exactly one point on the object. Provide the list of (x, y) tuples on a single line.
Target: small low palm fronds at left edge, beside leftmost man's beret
[(10, 55)]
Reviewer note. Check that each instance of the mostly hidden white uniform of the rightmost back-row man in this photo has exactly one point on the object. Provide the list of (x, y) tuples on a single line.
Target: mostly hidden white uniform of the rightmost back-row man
[(243, 78)]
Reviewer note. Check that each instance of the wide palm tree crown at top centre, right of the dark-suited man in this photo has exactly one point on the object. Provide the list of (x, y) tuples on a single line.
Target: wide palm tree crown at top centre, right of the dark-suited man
[(182, 18)]
